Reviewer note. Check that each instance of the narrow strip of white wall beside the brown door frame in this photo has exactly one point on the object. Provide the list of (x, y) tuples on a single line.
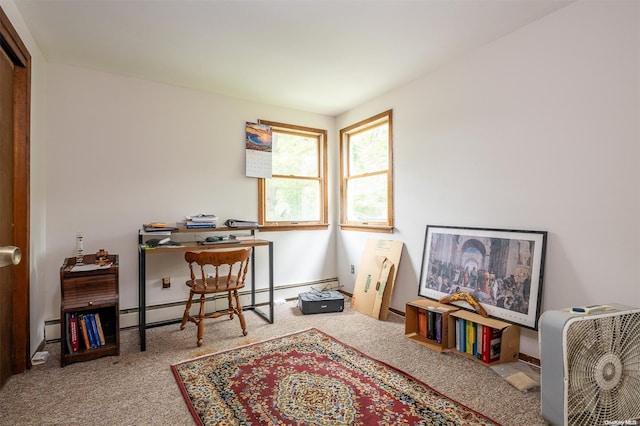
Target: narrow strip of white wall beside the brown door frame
[(37, 284)]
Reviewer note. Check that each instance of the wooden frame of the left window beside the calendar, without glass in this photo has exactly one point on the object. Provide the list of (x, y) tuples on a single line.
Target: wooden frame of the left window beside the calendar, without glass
[(322, 178)]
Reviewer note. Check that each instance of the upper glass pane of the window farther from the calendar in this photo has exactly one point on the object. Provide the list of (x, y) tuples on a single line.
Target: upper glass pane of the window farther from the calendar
[(369, 150)]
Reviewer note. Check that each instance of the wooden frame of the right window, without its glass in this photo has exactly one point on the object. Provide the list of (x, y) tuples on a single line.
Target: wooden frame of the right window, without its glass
[(345, 134)]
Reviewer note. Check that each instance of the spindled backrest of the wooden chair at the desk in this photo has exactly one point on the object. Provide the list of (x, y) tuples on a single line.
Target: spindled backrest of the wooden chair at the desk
[(237, 262)]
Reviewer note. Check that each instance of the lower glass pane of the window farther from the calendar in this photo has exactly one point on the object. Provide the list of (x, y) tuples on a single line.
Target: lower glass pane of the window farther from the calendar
[(367, 199)]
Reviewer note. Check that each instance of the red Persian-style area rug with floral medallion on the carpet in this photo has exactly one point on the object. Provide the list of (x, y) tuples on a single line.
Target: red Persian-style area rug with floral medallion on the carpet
[(310, 378)]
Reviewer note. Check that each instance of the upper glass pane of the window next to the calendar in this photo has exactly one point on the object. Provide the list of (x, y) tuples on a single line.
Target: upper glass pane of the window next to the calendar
[(295, 155)]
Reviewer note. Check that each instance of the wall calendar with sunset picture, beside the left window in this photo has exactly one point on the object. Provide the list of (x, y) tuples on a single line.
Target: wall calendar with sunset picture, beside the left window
[(258, 146)]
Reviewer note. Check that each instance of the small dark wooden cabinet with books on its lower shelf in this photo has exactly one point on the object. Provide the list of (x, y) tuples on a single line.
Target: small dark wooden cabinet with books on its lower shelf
[(92, 292)]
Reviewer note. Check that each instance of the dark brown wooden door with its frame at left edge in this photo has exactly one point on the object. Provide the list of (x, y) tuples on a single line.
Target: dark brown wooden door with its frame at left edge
[(15, 76)]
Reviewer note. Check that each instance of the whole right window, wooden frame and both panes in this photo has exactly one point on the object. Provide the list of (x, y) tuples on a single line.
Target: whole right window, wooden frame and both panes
[(366, 174)]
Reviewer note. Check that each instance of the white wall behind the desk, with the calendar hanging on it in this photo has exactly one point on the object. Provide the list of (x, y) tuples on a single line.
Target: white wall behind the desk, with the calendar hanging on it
[(123, 152)]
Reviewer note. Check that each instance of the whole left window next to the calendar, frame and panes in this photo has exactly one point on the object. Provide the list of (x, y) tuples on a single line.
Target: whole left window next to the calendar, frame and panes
[(296, 195)]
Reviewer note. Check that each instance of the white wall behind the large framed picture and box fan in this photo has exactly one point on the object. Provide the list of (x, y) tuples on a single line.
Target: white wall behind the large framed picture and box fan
[(538, 130)]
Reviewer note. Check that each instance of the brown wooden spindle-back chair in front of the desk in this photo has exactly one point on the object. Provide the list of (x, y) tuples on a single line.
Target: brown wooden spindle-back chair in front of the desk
[(219, 272)]
